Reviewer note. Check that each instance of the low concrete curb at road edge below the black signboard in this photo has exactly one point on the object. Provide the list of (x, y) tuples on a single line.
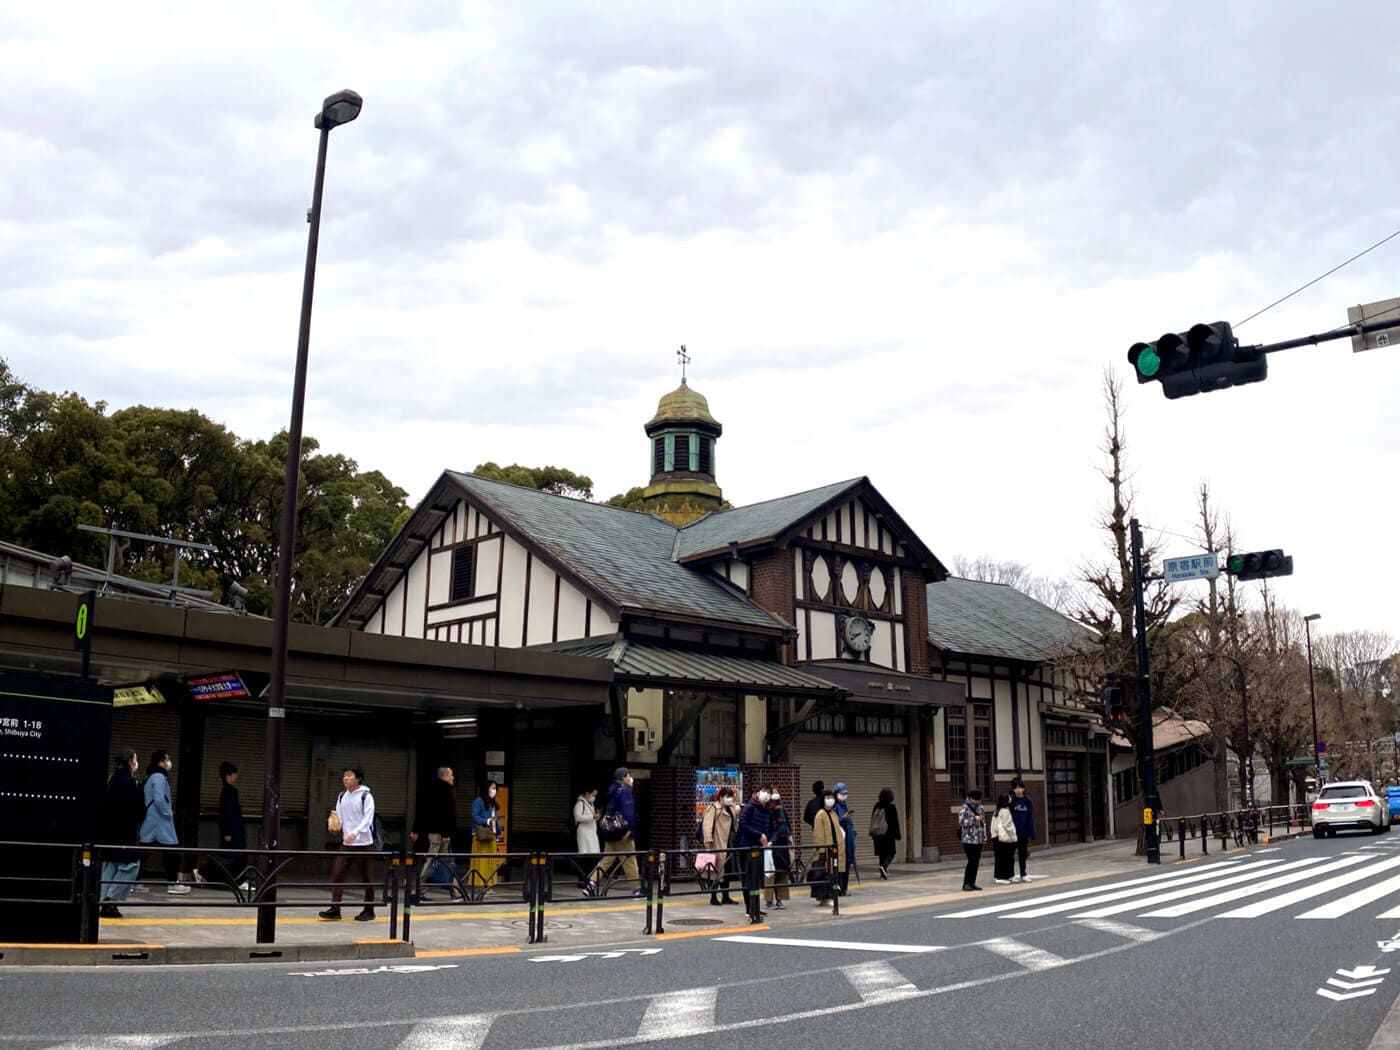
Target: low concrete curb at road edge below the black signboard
[(163, 955)]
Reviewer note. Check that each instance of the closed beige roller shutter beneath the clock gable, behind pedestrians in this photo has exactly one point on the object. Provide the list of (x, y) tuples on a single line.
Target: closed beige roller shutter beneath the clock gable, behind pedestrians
[(867, 768)]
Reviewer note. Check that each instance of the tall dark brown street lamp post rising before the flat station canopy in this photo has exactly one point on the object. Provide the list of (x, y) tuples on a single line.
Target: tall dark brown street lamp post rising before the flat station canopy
[(338, 110)]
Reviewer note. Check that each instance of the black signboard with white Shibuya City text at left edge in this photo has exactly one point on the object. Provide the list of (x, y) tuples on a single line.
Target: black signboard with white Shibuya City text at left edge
[(54, 768)]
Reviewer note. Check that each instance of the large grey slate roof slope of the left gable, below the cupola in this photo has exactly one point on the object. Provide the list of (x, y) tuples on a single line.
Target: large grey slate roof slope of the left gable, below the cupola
[(622, 555)]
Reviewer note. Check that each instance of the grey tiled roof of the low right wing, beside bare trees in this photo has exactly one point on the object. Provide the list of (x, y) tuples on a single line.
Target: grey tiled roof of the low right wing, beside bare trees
[(997, 621)]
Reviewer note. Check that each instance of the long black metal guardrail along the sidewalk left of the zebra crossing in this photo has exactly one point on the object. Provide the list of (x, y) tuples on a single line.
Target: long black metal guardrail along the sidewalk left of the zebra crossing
[(411, 883)]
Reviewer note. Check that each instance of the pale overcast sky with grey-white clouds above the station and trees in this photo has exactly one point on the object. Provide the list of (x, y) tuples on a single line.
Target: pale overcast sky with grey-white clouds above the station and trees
[(901, 241)]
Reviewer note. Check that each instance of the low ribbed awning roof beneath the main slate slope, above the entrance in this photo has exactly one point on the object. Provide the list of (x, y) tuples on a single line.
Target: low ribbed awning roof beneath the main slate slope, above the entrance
[(642, 660)]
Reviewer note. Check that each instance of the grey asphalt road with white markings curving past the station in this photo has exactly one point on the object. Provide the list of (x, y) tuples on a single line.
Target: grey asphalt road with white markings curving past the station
[(1224, 953)]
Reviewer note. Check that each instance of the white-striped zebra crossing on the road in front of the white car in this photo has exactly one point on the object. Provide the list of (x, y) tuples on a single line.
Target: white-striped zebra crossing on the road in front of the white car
[(1328, 887)]
